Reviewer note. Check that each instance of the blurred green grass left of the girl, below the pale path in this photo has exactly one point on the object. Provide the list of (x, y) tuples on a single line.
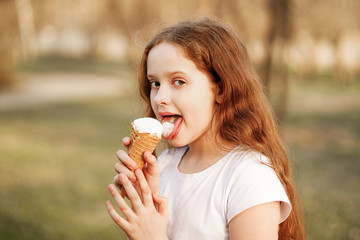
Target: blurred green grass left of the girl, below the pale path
[(56, 164)]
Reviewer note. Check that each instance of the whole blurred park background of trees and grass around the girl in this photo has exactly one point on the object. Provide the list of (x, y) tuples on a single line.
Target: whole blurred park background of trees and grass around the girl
[(68, 94)]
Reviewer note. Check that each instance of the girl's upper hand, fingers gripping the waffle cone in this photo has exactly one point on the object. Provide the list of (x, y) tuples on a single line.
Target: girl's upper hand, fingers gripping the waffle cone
[(127, 166)]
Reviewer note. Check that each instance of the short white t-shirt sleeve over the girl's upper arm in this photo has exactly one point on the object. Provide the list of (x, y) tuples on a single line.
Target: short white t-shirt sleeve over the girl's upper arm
[(252, 184)]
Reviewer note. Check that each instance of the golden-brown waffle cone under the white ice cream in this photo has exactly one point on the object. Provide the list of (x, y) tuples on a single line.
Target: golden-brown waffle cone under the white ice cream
[(141, 142)]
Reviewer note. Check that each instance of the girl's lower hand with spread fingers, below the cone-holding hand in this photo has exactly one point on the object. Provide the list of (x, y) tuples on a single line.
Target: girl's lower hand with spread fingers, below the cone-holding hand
[(148, 218)]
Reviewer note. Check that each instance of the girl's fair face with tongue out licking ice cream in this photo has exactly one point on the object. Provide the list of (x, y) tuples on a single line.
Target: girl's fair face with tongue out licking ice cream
[(181, 94)]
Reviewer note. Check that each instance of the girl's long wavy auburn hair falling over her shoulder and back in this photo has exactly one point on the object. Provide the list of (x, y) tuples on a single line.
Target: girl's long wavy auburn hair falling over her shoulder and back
[(244, 116)]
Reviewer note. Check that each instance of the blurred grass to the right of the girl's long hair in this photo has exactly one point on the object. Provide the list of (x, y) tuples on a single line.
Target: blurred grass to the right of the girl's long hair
[(323, 133)]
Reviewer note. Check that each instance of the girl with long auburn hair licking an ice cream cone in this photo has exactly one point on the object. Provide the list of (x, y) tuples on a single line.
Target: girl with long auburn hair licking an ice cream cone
[(227, 175)]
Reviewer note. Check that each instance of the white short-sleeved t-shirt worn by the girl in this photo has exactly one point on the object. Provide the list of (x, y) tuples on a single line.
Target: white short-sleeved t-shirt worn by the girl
[(202, 204)]
